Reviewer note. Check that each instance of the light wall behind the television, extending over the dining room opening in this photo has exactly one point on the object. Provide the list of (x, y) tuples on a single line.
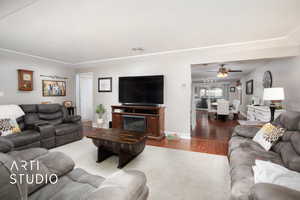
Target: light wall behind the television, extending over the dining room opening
[(177, 70)]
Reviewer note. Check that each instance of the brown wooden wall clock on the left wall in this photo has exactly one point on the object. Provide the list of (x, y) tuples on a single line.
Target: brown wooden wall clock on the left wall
[(25, 80)]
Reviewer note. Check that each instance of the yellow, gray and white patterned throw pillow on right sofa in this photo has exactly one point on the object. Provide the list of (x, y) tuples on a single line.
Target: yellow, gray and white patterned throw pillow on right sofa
[(268, 135)]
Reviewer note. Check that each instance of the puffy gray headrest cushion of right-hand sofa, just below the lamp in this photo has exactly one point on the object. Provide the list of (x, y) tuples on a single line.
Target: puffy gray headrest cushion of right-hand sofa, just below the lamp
[(288, 120)]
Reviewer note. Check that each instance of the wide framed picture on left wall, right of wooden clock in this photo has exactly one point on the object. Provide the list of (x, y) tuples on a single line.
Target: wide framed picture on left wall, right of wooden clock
[(54, 88)]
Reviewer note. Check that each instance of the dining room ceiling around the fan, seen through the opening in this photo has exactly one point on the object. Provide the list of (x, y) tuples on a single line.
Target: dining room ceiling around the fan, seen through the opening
[(199, 71)]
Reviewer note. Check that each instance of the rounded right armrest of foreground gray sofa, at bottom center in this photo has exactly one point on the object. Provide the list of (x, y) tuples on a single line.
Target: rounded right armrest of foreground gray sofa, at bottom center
[(123, 185)]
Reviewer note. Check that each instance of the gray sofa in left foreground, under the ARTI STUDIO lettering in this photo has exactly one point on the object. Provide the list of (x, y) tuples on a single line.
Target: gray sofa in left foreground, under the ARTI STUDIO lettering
[(72, 184)]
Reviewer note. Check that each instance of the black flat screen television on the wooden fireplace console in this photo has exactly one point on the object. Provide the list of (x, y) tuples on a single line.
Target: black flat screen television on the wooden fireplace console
[(141, 90)]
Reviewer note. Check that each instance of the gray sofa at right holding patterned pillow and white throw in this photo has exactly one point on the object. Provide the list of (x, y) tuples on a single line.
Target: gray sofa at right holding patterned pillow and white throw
[(243, 152)]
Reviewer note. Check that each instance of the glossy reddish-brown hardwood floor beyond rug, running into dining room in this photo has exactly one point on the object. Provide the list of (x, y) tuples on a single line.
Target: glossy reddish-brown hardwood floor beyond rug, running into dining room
[(210, 136)]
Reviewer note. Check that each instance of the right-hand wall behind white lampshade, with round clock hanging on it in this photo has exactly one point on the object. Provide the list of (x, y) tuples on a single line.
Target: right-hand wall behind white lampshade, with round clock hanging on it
[(285, 73)]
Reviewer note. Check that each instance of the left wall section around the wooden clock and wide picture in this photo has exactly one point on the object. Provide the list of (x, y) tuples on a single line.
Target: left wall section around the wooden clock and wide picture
[(10, 63)]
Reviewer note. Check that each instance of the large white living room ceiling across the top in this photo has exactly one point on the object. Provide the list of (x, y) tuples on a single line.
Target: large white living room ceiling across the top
[(80, 30)]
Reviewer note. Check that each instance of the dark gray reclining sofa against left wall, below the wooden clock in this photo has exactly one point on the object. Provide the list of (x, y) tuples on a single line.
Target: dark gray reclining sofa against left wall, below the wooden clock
[(44, 125)]
